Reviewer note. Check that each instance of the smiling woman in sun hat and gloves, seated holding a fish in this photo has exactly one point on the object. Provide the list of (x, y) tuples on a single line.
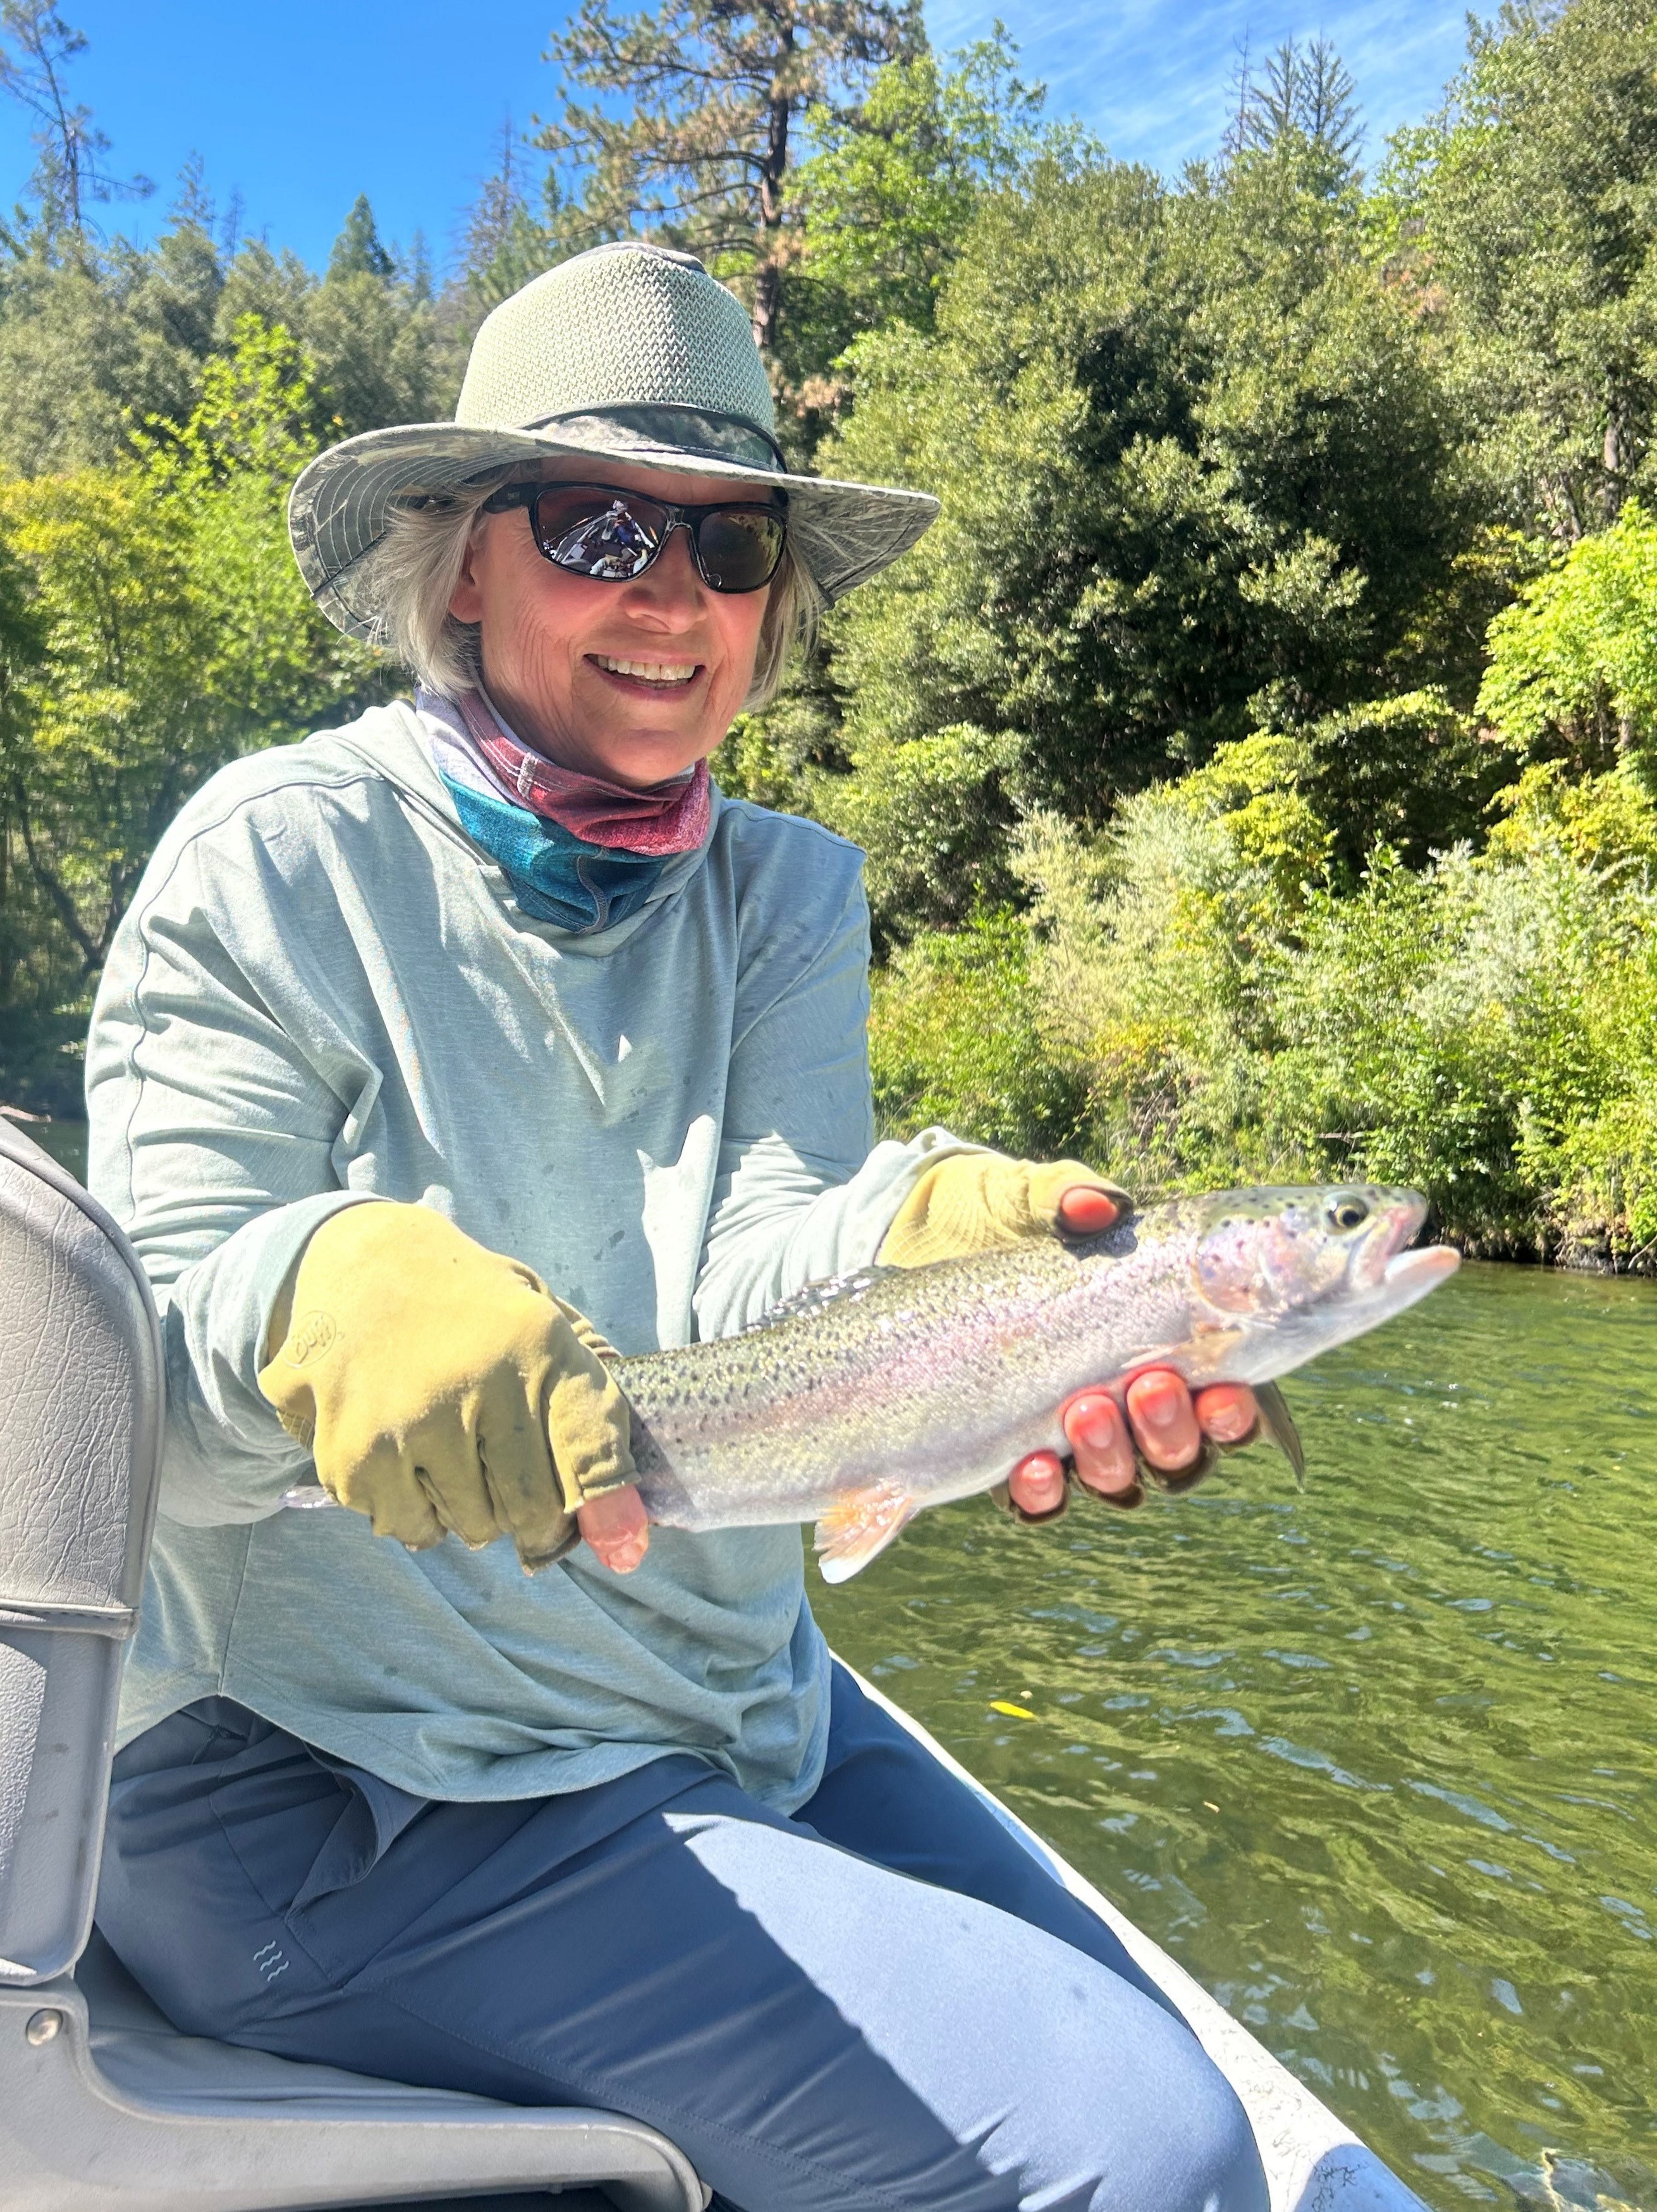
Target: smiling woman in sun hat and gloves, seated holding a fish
[(433, 1050)]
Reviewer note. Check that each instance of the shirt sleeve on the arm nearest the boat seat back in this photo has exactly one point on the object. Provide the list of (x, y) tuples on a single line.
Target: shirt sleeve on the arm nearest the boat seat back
[(211, 1140)]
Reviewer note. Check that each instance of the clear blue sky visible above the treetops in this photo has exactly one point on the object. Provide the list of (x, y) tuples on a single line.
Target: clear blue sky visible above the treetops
[(309, 105)]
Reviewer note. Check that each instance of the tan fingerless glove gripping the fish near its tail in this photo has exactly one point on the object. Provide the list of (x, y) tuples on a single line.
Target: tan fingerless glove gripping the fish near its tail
[(441, 1388)]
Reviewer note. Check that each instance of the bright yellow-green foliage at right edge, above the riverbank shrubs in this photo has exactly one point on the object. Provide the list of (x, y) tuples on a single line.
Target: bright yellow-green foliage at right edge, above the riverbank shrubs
[(1574, 662)]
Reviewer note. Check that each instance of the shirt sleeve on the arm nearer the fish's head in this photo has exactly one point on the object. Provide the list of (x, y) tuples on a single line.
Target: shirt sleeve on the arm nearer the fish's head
[(804, 1191)]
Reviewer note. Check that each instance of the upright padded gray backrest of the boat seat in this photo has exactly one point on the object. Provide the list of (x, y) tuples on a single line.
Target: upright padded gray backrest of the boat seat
[(81, 1439)]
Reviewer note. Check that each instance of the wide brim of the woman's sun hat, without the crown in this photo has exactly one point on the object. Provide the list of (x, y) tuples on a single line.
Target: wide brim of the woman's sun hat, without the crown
[(342, 503)]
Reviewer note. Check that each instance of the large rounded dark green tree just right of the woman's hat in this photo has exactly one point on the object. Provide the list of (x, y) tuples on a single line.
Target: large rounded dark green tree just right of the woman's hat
[(1198, 477)]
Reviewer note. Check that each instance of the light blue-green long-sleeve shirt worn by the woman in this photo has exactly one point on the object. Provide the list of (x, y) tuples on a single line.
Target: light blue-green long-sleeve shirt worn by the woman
[(326, 994)]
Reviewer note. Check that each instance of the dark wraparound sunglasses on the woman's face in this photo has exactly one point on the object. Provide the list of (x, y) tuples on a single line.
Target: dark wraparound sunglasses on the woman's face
[(596, 530)]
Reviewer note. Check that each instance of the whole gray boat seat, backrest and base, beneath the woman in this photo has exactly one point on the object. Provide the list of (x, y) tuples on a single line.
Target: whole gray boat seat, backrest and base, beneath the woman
[(103, 2105)]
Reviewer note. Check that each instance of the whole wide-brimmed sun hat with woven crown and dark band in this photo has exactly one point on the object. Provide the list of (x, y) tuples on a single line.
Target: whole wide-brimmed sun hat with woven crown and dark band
[(627, 353)]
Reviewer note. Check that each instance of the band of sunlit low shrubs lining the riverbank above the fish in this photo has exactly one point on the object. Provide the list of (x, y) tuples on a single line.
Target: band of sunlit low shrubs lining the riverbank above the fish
[(1213, 1010)]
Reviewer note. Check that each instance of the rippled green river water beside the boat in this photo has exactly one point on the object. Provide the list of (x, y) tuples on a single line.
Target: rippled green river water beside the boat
[(1375, 1760)]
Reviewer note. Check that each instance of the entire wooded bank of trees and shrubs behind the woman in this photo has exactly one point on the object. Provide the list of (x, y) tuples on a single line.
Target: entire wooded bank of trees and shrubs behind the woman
[(1216, 826)]
